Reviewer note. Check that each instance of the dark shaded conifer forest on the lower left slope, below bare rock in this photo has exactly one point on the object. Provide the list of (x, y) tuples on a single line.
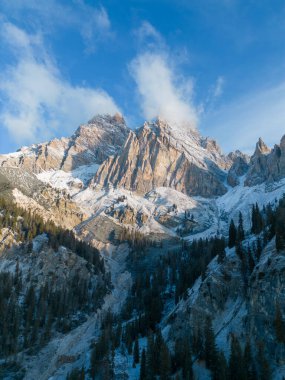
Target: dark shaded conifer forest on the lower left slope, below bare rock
[(39, 312)]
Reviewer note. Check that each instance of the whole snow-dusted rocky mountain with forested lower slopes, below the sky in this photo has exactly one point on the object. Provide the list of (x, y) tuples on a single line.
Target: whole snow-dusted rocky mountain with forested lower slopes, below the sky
[(115, 241)]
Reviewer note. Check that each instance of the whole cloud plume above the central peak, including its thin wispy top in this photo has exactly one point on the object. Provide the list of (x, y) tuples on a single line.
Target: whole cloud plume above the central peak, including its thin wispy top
[(161, 89)]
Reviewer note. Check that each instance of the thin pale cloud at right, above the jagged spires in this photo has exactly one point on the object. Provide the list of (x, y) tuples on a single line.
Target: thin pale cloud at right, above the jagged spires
[(239, 124)]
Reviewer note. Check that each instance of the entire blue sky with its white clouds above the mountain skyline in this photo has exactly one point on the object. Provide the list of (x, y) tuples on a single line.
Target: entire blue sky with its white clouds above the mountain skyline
[(218, 65)]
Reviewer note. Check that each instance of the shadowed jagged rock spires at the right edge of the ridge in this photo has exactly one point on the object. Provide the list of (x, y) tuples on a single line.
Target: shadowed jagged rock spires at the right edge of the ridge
[(266, 165)]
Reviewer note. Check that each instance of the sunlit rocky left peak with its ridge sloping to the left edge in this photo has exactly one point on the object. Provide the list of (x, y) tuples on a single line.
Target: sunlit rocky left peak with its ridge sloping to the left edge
[(92, 143)]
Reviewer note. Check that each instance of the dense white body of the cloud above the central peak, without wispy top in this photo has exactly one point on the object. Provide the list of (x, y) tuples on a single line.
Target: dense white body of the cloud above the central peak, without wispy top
[(161, 92)]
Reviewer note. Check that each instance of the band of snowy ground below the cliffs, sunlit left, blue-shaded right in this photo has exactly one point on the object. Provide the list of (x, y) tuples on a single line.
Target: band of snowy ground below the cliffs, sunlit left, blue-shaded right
[(212, 215)]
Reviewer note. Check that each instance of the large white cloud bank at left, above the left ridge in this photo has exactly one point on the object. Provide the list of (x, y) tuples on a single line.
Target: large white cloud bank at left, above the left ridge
[(36, 101)]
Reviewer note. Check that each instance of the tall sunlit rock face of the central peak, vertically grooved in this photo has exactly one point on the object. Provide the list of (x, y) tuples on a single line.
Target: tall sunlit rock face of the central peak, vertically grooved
[(157, 155)]
